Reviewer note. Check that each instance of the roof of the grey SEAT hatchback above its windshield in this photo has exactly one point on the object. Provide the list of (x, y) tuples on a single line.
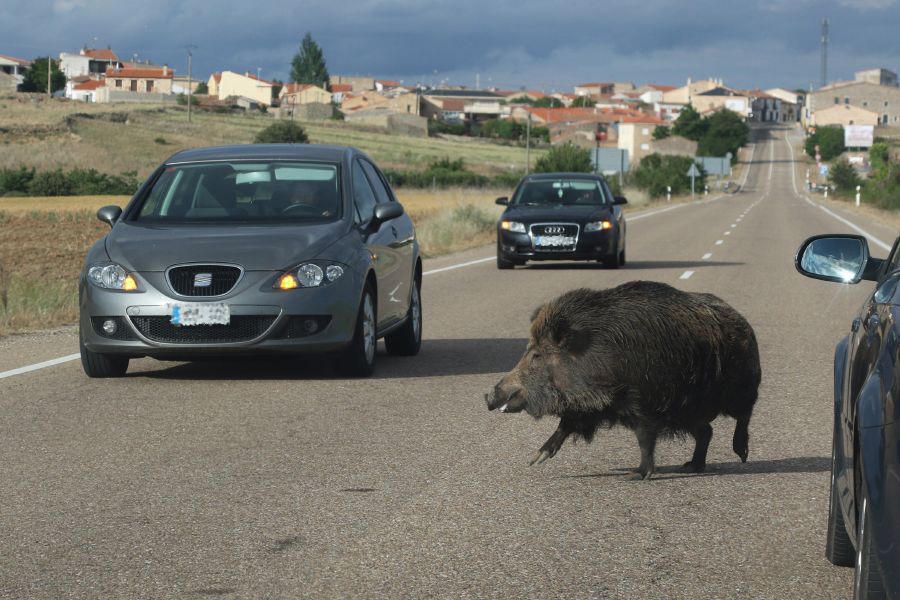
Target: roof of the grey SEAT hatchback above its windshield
[(320, 152)]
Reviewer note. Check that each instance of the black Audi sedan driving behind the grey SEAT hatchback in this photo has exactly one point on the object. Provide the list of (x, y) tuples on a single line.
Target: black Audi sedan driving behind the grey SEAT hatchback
[(561, 216)]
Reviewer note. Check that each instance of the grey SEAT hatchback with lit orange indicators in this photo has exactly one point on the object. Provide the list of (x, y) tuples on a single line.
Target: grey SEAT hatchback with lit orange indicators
[(254, 249)]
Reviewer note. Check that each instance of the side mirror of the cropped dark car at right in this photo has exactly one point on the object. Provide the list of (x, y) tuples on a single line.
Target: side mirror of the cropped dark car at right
[(840, 258)]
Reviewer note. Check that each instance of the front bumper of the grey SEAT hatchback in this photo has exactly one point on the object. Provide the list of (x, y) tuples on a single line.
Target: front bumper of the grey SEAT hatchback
[(263, 320)]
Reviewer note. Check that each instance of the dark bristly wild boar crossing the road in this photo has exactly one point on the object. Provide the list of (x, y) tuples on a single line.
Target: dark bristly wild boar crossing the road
[(643, 355)]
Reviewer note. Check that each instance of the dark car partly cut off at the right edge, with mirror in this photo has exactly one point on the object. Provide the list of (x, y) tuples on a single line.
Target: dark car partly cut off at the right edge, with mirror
[(864, 511)]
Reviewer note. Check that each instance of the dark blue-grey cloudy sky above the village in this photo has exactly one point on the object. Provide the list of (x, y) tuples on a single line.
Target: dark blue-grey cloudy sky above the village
[(548, 45)]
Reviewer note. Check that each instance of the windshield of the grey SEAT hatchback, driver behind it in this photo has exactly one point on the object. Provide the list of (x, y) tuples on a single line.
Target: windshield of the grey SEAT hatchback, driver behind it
[(219, 192)]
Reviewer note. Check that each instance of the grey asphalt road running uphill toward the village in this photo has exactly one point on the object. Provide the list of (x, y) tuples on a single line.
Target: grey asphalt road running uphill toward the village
[(279, 479)]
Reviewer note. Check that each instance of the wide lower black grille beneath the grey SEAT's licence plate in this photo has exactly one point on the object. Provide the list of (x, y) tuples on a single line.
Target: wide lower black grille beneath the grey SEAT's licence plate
[(241, 329)]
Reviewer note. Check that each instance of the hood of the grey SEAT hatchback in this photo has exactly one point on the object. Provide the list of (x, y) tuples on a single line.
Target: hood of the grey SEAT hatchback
[(254, 247)]
